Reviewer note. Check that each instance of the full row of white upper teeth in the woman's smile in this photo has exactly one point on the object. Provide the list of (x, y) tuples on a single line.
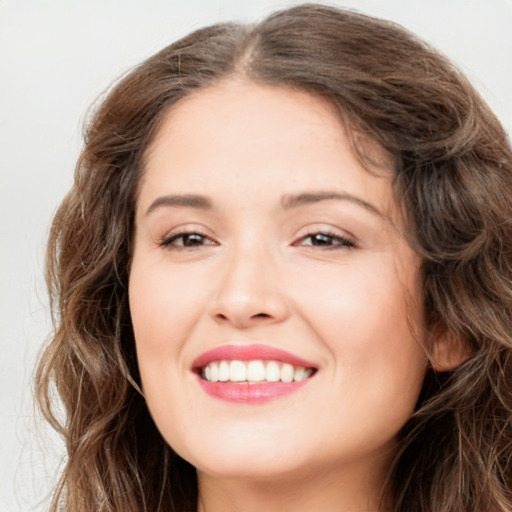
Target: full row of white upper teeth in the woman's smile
[(254, 371)]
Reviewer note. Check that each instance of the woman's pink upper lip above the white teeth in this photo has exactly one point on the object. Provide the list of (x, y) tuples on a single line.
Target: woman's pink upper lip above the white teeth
[(248, 353)]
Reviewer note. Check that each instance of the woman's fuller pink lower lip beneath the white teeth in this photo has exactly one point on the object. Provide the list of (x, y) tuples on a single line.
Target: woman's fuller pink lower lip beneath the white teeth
[(244, 392)]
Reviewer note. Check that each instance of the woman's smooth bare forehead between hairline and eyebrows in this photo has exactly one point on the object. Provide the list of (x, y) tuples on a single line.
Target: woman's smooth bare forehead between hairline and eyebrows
[(241, 138)]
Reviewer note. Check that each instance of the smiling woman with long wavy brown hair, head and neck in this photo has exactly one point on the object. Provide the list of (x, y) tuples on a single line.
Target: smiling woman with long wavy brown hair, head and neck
[(283, 278)]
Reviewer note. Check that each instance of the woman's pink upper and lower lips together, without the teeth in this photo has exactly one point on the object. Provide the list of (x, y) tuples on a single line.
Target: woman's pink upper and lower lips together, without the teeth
[(244, 392)]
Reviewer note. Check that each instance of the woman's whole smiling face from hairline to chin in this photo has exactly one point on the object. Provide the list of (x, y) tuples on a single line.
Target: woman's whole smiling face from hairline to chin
[(273, 299)]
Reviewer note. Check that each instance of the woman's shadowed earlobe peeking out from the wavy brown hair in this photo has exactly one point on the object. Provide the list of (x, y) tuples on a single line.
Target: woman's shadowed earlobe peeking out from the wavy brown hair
[(448, 350)]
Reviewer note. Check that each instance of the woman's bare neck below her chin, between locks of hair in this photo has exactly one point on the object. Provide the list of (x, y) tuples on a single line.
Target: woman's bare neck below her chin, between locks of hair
[(332, 492)]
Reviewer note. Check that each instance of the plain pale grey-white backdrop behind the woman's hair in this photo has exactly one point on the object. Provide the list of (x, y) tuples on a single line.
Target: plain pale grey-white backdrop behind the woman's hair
[(56, 57)]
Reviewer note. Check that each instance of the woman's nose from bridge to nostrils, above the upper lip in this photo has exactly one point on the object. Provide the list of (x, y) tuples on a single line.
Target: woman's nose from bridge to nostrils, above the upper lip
[(249, 292)]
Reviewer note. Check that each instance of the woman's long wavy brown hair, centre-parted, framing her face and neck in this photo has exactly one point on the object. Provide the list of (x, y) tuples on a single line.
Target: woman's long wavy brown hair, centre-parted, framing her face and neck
[(453, 179)]
